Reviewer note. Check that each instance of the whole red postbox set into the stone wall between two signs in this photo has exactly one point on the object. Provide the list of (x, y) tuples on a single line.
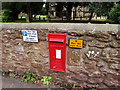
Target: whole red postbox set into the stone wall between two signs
[(57, 52)]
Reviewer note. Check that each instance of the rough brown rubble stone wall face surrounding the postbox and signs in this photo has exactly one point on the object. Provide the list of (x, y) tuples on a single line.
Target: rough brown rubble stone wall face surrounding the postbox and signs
[(97, 64)]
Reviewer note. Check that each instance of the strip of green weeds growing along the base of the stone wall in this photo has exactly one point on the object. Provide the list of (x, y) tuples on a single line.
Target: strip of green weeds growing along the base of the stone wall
[(46, 80)]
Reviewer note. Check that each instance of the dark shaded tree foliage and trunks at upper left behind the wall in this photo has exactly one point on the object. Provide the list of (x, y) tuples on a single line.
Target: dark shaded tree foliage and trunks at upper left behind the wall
[(28, 7)]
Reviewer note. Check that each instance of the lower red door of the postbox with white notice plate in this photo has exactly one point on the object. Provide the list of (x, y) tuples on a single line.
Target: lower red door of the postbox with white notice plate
[(57, 60)]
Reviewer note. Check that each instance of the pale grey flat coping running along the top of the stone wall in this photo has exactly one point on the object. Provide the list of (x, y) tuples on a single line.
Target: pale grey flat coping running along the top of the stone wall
[(63, 26)]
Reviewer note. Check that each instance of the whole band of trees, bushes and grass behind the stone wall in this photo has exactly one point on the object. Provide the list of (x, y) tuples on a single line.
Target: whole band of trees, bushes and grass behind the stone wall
[(35, 10)]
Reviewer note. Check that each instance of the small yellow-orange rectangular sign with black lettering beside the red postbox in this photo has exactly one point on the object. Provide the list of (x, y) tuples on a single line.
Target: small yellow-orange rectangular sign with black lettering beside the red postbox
[(76, 43)]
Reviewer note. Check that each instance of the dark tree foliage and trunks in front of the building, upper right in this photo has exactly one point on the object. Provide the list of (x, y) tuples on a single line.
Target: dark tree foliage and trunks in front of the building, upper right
[(99, 8)]
